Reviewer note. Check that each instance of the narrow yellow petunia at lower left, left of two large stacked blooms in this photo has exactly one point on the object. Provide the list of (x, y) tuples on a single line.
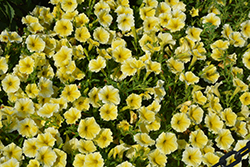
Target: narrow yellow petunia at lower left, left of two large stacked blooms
[(30, 147)]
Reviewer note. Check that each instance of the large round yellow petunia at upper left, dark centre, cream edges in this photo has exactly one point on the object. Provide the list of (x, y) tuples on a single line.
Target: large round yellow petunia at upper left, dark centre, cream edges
[(35, 43)]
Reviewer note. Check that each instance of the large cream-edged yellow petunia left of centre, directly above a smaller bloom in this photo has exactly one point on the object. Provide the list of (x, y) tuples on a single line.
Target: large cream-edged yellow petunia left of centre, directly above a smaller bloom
[(109, 94)]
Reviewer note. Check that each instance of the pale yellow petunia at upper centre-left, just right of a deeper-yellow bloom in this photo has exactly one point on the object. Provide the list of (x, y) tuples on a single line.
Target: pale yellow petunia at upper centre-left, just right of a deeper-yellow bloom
[(101, 35)]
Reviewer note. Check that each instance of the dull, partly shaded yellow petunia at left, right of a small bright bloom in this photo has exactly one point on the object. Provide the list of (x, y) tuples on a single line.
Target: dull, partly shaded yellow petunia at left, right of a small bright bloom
[(45, 87)]
